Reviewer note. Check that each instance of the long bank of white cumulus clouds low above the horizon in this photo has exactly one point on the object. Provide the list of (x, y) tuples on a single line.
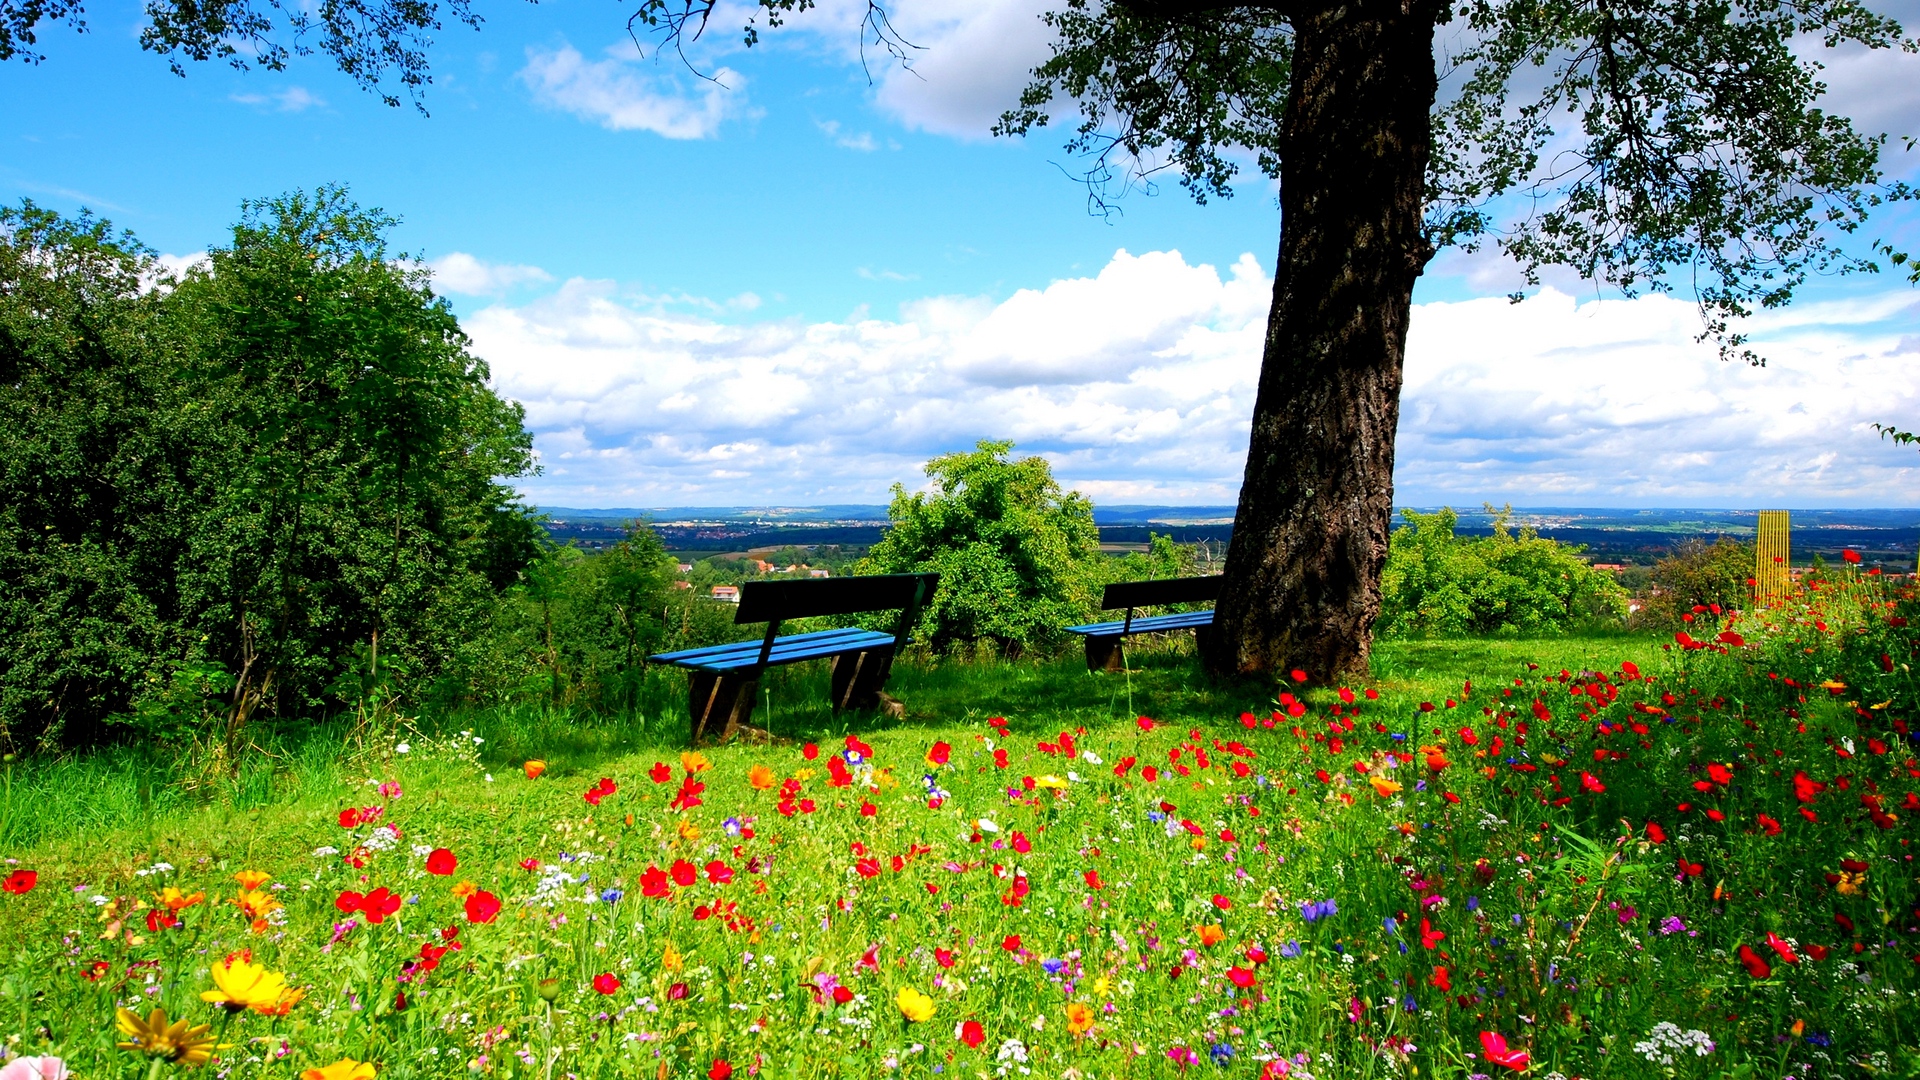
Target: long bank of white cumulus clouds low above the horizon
[(1140, 385)]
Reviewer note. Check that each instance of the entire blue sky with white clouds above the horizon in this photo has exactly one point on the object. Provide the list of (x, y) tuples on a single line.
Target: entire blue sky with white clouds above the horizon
[(788, 276)]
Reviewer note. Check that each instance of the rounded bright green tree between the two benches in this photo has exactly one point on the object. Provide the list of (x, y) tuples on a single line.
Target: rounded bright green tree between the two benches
[(1019, 558)]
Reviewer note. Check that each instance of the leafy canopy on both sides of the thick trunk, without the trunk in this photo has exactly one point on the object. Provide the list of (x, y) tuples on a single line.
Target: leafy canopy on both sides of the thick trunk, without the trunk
[(1643, 145)]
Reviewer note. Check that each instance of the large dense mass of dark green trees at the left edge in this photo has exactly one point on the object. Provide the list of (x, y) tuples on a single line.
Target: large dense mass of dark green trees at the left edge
[(258, 470)]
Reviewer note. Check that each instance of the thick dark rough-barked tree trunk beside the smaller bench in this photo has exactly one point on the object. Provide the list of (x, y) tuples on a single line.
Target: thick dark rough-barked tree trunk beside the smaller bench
[(1316, 508)]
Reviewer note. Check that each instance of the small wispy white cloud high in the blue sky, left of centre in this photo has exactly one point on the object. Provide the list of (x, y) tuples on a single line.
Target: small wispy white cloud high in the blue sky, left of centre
[(621, 99)]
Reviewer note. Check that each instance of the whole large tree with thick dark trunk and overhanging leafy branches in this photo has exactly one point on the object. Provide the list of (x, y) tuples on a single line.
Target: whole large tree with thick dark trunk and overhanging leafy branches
[(1648, 145)]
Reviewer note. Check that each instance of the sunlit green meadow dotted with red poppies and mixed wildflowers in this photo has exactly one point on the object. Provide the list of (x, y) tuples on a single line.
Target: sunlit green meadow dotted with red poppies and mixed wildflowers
[(1562, 858)]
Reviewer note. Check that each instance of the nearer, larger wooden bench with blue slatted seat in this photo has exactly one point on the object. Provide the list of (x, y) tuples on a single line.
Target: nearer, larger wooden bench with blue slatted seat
[(723, 679)]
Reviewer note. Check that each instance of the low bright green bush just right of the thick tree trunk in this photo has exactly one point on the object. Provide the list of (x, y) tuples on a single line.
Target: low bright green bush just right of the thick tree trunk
[(1508, 583)]
